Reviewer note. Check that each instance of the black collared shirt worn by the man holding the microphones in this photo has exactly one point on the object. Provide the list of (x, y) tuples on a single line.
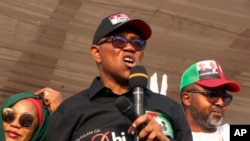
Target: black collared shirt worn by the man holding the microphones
[(91, 115)]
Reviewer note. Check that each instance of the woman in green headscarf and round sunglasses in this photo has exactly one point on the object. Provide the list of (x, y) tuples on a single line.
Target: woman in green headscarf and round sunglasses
[(25, 117)]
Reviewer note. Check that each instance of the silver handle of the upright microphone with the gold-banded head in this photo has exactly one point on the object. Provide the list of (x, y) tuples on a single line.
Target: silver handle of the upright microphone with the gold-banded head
[(138, 105)]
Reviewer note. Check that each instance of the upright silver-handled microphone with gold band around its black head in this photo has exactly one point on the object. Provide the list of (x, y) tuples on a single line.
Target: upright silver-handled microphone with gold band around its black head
[(138, 79)]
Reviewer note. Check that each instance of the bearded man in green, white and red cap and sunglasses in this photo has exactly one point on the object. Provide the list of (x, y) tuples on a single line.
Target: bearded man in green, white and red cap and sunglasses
[(205, 97)]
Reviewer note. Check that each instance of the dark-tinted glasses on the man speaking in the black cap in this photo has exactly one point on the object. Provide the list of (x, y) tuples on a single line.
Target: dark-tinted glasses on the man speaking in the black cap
[(121, 42)]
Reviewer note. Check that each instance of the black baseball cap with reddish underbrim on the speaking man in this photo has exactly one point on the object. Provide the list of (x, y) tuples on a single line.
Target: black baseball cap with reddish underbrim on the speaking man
[(118, 20)]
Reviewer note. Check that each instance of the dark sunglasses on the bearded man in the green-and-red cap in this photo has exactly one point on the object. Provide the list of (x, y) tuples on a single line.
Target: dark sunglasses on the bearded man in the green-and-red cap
[(213, 96)]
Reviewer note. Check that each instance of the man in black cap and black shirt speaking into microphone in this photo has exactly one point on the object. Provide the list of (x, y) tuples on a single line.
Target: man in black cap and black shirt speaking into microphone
[(93, 114)]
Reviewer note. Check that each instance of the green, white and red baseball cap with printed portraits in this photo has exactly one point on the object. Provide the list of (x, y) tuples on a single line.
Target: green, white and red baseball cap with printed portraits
[(207, 73)]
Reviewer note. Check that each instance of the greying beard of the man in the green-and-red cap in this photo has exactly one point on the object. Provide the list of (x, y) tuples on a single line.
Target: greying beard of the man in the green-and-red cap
[(209, 121)]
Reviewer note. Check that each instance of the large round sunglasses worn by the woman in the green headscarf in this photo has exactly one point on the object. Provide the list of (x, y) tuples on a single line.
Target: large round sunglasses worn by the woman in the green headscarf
[(9, 116)]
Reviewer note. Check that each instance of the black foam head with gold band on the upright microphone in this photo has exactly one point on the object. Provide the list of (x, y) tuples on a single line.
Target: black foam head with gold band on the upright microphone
[(138, 77)]
